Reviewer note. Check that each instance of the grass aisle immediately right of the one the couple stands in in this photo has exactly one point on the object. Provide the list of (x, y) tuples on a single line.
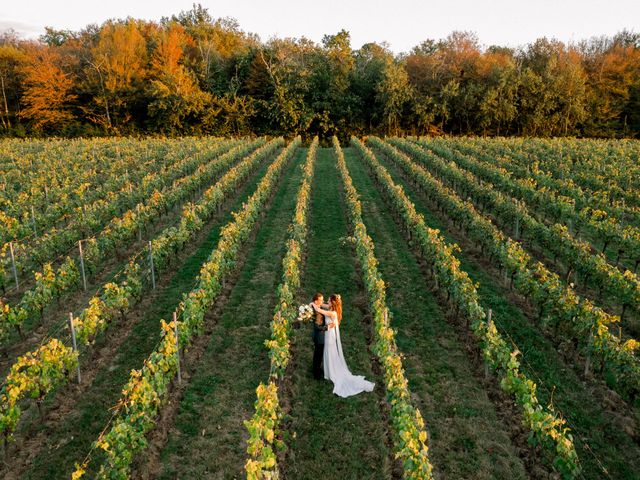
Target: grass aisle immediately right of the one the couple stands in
[(467, 440)]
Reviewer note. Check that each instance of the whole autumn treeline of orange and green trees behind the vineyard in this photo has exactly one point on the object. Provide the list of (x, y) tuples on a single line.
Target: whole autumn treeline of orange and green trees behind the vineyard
[(193, 74)]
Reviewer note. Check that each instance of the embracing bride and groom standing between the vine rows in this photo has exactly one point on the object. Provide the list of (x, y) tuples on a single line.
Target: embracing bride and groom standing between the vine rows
[(328, 359)]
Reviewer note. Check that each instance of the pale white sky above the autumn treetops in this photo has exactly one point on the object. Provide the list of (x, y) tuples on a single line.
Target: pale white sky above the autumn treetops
[(401, 23)]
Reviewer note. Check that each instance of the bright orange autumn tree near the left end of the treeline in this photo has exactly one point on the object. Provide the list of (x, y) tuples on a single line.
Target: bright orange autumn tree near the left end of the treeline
[(47, 92)]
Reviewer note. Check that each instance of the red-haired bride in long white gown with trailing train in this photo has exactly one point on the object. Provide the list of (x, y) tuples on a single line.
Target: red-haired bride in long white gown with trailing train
[(345, 383)]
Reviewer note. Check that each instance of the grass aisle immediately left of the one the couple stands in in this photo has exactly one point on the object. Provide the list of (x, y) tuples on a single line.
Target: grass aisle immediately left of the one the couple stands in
[(209, 438)]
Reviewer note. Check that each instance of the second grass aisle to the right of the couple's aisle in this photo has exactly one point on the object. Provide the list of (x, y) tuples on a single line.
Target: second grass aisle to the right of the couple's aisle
[(600, 436)]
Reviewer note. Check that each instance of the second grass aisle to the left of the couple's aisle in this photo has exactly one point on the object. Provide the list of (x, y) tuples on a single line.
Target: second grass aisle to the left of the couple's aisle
[(71, 439)]
